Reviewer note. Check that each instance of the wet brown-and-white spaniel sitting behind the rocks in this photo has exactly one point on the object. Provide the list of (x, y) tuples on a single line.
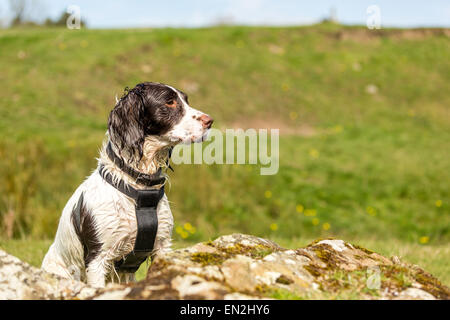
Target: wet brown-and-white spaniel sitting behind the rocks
[(98, 226)]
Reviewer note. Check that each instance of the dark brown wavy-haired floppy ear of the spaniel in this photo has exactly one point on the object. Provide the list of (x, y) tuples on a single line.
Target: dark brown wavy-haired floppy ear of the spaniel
[(126, 126)]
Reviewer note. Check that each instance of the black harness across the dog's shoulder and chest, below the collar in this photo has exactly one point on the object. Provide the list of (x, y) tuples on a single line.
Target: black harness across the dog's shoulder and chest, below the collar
[(147, 222)]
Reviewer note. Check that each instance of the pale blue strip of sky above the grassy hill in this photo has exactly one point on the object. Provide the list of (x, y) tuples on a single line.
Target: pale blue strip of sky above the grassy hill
[(200, 13)]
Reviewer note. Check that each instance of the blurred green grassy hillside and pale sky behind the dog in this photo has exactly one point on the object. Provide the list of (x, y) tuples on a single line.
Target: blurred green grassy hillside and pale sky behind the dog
[(363, 115)]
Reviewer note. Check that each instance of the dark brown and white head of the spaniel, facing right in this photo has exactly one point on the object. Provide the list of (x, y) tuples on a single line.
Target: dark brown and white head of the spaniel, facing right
[(156, 110)]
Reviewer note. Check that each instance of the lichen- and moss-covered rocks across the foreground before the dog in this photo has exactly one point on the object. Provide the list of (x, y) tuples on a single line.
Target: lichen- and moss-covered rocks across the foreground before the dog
[(241, 266)]
